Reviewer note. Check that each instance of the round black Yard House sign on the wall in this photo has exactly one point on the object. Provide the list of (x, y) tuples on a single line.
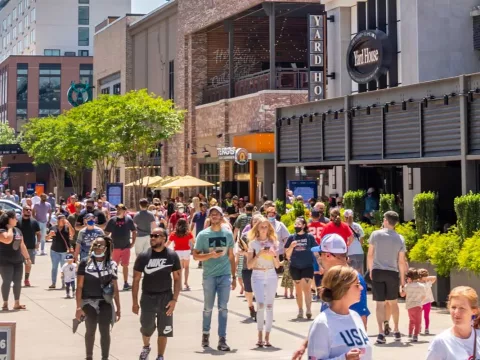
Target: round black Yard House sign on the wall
[(368, 56)]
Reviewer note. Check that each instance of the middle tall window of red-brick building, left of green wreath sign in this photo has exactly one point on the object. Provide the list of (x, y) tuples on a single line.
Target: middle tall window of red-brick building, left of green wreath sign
[(49, 88)]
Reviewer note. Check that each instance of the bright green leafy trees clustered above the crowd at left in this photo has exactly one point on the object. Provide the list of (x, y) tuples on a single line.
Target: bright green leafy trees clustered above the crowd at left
[(100, 133)]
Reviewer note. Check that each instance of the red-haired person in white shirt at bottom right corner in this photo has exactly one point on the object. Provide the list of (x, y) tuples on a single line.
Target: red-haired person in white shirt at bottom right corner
[(462, 340)]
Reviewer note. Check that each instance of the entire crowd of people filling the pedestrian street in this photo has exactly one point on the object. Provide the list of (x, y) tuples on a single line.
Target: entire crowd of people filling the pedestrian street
[(233, 242)]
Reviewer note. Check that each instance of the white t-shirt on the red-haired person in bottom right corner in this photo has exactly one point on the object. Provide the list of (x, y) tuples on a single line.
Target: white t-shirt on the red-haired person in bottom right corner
[(447, 346)]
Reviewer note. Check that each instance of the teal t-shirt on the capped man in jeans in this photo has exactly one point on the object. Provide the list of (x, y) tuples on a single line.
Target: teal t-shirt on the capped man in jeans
[(208, 241)]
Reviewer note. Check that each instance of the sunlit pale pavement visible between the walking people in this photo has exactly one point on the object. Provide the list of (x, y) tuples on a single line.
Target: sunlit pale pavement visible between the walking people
[(44, 330)]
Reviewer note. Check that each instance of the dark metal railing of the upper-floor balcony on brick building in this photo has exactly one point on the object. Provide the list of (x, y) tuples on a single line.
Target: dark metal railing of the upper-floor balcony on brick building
[(286, 79)]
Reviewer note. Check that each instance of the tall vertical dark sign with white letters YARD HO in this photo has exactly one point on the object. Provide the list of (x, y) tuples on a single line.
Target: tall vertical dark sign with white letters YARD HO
[(316, 52)]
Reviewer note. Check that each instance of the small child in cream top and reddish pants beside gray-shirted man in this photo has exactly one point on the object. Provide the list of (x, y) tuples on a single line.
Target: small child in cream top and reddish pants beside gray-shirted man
[(415, 296)]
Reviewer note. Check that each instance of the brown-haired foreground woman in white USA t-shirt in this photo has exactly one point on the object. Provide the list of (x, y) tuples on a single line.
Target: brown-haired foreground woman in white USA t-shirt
[(338, 333)]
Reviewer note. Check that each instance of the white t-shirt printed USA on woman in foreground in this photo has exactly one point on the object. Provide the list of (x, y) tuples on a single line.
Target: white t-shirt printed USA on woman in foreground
[(332, 336)]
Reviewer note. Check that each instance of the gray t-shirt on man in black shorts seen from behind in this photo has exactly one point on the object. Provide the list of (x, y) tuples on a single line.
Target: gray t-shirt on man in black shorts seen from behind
[(388, 244)]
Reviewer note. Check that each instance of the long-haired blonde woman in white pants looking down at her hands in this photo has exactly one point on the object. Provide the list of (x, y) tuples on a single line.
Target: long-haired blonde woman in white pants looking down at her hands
[(262, 258)]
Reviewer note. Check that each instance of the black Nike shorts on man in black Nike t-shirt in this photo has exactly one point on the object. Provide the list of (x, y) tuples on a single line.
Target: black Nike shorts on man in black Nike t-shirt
[(154, 307)]
